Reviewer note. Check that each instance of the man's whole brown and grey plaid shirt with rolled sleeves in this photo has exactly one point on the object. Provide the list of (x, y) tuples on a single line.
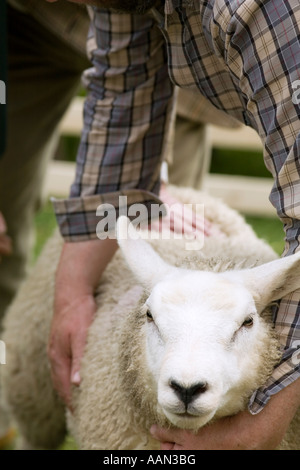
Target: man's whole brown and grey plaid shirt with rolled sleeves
[(244, 56)]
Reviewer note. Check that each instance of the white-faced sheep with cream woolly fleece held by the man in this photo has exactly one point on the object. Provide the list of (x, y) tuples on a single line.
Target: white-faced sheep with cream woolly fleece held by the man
[(180, 338)]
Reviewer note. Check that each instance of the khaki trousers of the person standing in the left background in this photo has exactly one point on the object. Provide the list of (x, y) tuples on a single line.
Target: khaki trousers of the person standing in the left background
[(43, 76)]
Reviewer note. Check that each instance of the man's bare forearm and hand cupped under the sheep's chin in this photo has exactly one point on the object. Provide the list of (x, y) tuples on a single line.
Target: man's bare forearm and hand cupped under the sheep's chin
[(244, 431)]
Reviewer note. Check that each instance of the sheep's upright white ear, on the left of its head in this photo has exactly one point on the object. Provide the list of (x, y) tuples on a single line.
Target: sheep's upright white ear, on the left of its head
[(148, 267)]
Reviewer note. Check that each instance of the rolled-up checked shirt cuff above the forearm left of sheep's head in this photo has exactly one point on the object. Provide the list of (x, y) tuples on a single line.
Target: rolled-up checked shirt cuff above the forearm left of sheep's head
[(91, 217)]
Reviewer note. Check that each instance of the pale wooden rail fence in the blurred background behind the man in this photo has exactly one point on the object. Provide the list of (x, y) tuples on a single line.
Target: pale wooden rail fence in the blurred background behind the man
[(249, 195)]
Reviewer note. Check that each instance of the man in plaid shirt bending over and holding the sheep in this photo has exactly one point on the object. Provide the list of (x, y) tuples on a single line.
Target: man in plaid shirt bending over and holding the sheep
[(243, 56)]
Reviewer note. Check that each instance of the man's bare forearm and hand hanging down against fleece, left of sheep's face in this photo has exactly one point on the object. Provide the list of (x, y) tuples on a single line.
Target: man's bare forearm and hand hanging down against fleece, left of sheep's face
[(79, 271)]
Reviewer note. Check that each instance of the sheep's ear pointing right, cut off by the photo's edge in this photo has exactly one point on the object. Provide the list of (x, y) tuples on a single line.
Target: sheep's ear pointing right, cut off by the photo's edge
[(273, 280)]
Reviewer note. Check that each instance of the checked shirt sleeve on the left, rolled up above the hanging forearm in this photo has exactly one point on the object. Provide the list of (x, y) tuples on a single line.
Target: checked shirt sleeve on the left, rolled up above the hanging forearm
[(127, 114)]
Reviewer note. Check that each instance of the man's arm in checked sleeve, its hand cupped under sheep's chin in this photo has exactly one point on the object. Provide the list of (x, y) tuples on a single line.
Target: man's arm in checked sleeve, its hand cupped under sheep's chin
[(260, 43)]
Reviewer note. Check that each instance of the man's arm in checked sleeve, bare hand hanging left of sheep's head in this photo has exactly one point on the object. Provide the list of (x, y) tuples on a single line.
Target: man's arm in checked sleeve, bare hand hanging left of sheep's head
[(126, 114)]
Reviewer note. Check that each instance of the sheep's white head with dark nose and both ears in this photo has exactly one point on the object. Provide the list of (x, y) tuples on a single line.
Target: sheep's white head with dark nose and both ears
[(207, 345)]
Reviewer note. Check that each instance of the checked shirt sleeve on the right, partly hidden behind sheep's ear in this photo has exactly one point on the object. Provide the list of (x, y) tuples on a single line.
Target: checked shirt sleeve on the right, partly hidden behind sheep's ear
[(263, 52)]
